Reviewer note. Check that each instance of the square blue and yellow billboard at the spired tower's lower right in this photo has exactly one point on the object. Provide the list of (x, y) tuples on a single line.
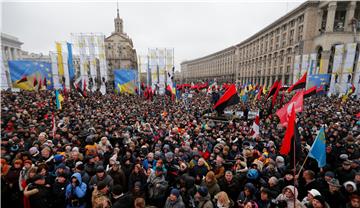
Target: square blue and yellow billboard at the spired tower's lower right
[(125, 80)]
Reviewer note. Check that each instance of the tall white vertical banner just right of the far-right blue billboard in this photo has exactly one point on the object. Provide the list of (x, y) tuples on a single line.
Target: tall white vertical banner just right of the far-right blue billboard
[(336, 70)]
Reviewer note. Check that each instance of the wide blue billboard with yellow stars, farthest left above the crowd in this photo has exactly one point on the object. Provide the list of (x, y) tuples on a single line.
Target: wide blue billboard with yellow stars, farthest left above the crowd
[(23, 74)]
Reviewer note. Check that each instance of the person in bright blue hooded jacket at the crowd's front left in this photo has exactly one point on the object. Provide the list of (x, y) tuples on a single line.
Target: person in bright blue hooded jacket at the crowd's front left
[(75, 192)]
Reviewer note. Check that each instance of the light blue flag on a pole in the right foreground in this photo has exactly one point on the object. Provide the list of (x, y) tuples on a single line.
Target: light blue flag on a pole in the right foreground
[(318, 149)]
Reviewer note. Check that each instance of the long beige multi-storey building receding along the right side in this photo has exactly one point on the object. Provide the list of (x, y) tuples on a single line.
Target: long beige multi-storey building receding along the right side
[(268, 55)]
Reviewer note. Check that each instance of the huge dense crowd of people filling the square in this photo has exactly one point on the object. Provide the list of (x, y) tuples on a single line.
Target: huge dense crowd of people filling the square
[(126, 151)]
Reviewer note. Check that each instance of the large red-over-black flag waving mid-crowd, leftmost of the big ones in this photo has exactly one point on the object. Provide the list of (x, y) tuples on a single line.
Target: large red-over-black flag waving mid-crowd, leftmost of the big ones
[(230, 97)]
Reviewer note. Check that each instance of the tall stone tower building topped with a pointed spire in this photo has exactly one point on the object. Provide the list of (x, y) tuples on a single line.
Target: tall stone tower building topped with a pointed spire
[(119, 49)]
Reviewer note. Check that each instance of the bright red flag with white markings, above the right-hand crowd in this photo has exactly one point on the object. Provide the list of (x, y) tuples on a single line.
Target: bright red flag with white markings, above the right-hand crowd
[(297, 101)]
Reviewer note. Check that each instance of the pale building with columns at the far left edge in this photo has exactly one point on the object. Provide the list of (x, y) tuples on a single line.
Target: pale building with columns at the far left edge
[(10, 50)]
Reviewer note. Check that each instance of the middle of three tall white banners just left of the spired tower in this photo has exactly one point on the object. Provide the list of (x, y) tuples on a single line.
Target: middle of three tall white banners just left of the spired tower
[(92, 63)]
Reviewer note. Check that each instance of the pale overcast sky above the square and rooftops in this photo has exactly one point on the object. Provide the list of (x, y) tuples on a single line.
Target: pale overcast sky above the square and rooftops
[(192, 29)]
